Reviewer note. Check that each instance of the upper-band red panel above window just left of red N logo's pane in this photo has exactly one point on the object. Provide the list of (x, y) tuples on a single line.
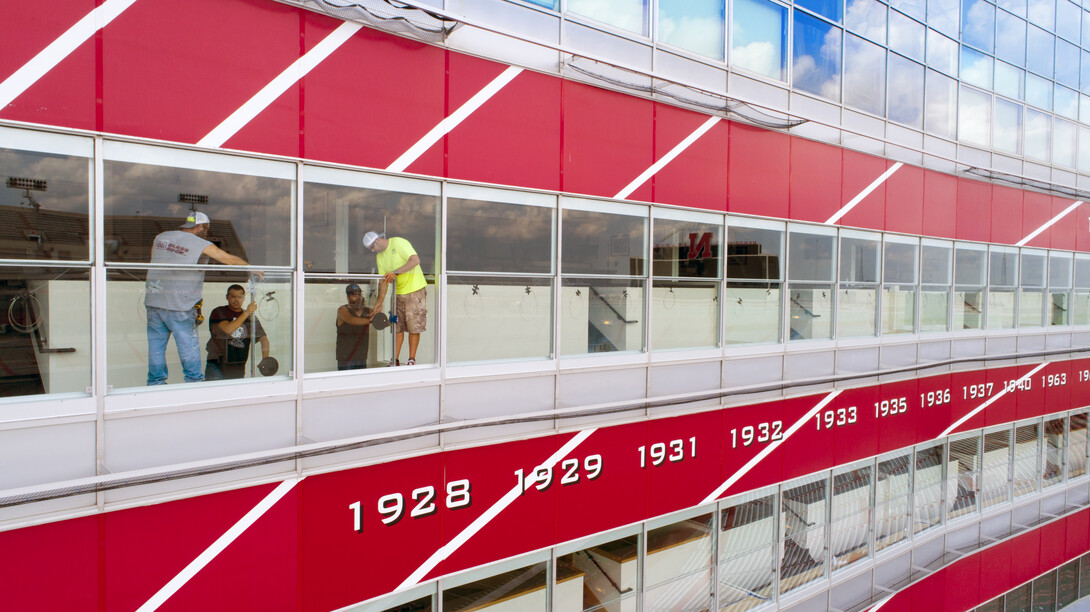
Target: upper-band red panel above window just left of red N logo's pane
[(607, 140)]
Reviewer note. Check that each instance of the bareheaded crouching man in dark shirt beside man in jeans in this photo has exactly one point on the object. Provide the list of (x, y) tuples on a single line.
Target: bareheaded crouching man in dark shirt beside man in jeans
[(233, 332)]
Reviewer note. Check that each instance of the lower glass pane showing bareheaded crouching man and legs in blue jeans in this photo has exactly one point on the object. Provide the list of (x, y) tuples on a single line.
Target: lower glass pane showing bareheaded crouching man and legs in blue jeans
[(210, 342)]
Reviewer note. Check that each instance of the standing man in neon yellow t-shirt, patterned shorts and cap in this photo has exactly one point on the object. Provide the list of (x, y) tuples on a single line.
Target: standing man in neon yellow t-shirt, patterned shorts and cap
[(397, 259)]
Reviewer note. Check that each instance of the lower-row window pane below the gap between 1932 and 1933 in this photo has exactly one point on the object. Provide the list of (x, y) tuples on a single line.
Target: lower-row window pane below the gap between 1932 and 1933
[(804, 517)]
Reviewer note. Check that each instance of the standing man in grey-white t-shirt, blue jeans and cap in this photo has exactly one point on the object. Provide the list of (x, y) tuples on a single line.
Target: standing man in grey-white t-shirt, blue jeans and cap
[(173, 296)]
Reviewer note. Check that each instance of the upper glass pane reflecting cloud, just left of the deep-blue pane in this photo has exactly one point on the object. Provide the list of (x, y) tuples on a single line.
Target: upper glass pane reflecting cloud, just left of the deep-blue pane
[(759, 39)]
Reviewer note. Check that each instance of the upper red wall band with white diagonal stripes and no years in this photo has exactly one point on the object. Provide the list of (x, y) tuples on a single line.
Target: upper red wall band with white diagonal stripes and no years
[(176, 71)]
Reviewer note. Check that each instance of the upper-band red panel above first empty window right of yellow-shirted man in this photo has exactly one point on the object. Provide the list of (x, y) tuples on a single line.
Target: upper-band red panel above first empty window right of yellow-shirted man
[(513, 139)]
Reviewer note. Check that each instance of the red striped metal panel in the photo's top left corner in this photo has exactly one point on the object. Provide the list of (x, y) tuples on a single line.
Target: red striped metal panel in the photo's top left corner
[(66, 95)]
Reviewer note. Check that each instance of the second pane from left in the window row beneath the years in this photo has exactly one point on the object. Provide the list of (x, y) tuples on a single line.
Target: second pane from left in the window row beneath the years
[(524, 590)]
